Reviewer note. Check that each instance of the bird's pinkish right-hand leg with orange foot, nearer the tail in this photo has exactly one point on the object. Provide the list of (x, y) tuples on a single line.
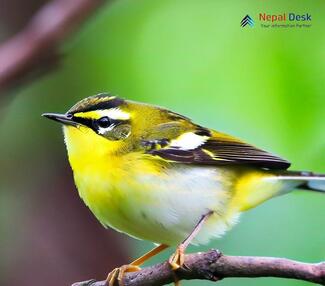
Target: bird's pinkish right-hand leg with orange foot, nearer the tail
[(177, 259)]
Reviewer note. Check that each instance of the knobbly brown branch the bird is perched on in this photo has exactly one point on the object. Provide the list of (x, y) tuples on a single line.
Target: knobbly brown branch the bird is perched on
[(214, 266)]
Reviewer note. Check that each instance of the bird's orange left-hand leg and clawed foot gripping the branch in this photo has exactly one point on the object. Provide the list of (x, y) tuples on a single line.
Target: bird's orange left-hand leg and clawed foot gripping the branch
[(118, 273)]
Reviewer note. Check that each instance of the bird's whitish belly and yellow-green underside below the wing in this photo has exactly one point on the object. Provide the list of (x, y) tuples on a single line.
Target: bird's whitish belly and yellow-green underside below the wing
[(165, 209)]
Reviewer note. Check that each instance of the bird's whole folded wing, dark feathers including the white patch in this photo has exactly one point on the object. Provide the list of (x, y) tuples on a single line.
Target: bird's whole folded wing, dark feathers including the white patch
[(207, 147)]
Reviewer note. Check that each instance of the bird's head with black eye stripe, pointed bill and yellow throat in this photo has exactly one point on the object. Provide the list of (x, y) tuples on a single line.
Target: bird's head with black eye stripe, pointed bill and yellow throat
[(97, 126)]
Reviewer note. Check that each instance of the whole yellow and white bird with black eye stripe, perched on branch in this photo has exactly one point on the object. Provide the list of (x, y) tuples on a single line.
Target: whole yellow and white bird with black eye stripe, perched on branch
[(155, 175)]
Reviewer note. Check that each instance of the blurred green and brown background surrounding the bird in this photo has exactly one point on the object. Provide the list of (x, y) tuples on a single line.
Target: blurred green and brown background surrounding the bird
[(265, 86)]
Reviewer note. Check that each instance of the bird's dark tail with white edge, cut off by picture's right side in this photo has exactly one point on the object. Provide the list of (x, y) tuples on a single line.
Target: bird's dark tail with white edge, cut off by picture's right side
[(305, 180)]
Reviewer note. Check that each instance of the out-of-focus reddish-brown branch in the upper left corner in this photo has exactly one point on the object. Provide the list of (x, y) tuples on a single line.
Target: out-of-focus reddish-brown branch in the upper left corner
[(37, 43)]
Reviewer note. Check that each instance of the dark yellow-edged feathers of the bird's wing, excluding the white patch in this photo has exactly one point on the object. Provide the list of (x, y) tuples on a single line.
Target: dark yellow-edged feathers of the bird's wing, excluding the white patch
[(221, 149)]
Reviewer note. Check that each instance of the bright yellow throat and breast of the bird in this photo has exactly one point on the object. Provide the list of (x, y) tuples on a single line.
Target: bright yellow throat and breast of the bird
[(104, 178)]
